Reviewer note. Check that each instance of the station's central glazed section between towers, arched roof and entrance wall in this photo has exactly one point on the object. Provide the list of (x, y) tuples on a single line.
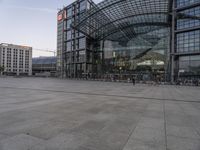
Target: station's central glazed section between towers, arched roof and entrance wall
[(125, 36)]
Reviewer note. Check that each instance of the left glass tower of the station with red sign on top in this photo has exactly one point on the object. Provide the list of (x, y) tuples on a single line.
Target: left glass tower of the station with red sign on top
[(73, 55)]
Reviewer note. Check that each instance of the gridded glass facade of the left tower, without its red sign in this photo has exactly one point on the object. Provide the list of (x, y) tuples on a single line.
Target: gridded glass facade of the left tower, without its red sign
[(74, 50)]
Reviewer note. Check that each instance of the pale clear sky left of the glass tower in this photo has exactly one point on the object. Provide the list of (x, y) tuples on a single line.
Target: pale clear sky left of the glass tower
[(31, 23)]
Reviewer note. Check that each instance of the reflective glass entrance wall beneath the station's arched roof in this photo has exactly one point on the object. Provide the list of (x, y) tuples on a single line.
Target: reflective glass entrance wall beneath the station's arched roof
[(148, 49)]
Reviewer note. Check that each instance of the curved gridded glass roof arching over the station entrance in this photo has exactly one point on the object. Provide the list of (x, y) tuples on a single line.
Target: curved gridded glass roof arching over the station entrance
[(124, 19)]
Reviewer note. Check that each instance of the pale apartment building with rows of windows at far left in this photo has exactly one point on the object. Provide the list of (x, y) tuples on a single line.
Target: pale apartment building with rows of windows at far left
[(16, 59)]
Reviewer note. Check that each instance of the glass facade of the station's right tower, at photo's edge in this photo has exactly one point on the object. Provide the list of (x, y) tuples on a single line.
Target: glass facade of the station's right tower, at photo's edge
[(187, 33)]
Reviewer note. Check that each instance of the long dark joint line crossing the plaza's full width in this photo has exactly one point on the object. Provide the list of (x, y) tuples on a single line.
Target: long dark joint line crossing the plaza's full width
[(107, 95)]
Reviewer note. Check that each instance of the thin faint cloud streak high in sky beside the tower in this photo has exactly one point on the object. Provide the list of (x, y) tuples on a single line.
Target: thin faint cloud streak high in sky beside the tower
[(46, 10)]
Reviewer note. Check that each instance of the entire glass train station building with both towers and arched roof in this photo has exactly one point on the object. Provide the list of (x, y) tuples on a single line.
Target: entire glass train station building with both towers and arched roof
[(118, 38)]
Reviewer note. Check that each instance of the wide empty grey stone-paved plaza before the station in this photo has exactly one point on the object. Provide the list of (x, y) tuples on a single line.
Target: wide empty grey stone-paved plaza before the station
[(55, 114)]
